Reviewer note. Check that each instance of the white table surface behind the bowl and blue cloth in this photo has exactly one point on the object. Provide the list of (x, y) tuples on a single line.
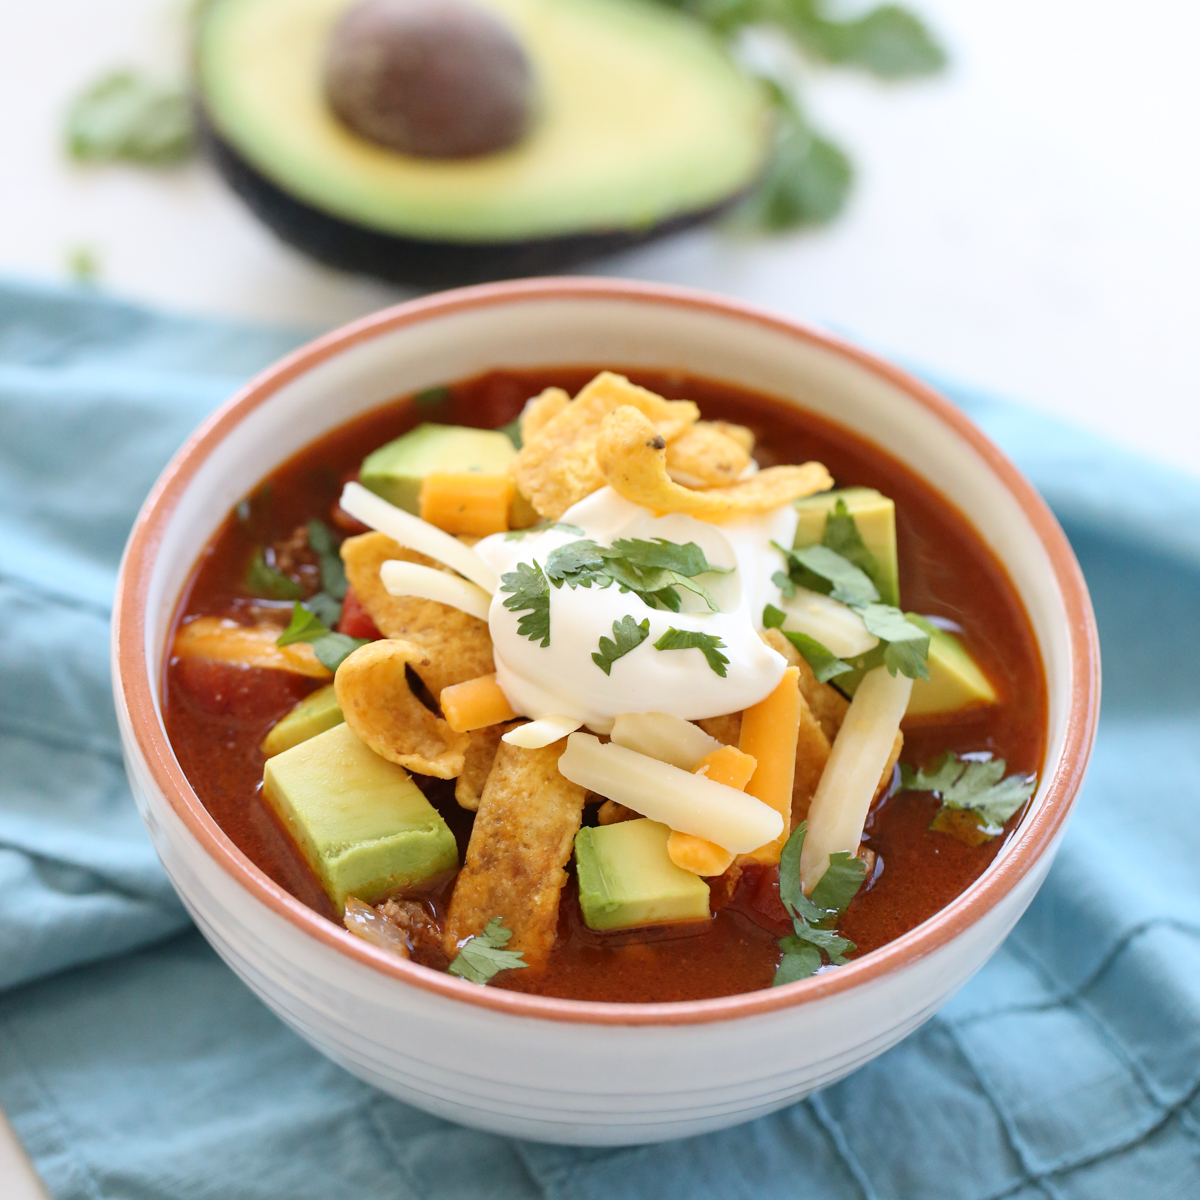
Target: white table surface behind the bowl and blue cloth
[(1027, 223)]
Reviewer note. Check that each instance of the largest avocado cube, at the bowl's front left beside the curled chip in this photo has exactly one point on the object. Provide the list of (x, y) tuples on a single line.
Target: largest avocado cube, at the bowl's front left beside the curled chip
[(361, 821)]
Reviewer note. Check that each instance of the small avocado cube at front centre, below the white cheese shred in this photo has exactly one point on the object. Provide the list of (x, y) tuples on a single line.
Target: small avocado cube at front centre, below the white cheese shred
[(627, 878)]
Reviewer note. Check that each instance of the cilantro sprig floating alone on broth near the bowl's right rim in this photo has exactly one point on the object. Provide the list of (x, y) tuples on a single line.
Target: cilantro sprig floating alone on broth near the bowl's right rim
[(977, 796)]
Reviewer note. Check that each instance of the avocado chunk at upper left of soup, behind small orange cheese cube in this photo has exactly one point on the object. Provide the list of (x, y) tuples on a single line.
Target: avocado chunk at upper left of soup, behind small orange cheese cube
[(395, 471)]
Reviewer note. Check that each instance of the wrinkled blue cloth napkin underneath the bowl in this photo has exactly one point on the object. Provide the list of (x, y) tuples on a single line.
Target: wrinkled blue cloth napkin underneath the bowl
[(135, 1066)]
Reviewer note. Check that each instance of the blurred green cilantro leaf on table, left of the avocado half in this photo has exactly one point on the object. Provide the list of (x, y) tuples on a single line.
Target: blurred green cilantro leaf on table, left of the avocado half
[(128, 118)]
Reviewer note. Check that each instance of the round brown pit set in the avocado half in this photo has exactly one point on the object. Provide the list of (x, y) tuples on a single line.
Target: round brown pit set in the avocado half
[(431, 79)]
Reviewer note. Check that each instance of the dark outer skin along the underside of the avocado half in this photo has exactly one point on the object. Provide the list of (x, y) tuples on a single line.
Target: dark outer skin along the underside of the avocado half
[(415, 261)]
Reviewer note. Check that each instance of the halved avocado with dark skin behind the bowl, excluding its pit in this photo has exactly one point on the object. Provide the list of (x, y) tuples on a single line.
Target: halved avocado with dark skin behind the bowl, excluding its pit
[(645, 127)]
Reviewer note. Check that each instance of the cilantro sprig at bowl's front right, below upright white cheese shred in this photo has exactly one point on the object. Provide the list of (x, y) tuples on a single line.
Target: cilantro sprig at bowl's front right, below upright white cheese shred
[(814, 935)]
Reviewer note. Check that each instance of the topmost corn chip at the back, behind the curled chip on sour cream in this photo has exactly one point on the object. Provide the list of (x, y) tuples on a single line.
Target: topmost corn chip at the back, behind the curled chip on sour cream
[(557, 467)]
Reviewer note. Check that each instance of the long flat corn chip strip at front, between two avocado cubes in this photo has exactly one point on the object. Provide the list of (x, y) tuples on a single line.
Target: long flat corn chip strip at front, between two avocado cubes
[(521, 842)]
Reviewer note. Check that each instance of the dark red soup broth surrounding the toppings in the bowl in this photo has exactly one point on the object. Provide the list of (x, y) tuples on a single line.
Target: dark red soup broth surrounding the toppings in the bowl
[(218, 716)]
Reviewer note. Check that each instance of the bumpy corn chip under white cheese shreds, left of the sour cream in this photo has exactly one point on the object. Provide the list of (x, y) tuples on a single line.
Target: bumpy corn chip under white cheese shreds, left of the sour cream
[(457, 646)]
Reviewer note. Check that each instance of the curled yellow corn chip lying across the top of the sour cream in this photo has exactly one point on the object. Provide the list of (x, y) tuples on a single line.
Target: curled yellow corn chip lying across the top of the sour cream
[(632, 457)]
